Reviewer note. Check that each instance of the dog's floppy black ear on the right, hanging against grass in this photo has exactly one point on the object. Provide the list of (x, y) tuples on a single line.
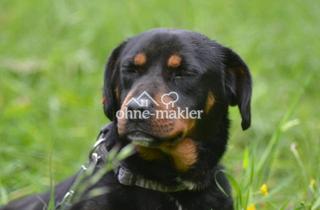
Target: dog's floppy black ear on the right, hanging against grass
[(238, 85)]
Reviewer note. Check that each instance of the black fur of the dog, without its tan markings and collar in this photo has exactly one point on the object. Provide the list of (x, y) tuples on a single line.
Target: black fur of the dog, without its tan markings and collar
[(206, 67)]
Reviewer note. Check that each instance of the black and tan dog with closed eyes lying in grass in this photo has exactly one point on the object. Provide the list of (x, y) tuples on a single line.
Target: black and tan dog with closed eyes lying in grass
[(175, 164)]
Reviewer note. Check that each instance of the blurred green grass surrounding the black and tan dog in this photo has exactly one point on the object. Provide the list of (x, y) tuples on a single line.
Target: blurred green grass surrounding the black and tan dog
[(52, 55)]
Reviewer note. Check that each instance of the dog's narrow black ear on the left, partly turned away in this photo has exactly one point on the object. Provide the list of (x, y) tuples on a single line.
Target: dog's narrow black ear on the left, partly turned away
[(111, 83)]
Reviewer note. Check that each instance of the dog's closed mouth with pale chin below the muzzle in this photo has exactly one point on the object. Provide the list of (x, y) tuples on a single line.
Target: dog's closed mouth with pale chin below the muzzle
[(145, 139)]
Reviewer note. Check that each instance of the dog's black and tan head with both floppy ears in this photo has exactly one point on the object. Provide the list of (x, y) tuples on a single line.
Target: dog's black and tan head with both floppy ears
[(163, 87)]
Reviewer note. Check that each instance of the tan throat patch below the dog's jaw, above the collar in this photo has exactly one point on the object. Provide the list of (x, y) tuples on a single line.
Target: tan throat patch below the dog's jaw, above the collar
[(184, 154)]
